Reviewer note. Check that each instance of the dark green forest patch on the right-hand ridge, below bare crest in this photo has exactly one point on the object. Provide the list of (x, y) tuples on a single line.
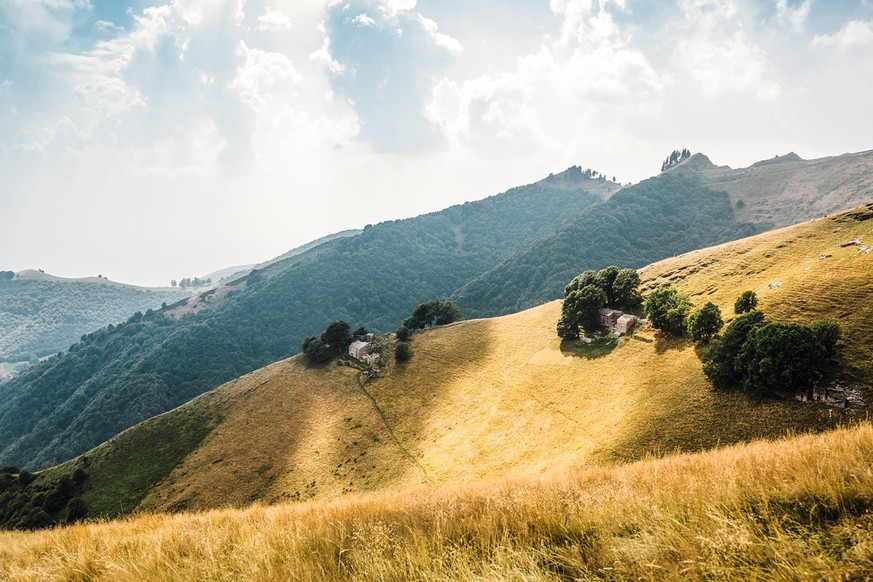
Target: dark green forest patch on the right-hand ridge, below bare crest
[(657, 218)]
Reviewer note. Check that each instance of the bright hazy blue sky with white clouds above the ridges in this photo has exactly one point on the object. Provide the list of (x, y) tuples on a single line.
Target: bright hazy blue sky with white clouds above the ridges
[(150, 140)]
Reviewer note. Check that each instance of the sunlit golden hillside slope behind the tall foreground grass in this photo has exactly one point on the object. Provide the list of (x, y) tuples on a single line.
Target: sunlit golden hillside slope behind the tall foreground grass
[(498, 397)]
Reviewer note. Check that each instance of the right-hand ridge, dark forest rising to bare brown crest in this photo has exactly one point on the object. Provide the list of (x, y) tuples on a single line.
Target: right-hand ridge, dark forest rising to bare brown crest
[(692, 205)]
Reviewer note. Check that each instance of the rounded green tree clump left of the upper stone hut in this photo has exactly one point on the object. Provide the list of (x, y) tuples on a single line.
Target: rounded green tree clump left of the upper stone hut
[(590, 291)]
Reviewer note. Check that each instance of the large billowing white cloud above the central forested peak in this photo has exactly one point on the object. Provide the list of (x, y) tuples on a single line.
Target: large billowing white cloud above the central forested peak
[(588, 79)]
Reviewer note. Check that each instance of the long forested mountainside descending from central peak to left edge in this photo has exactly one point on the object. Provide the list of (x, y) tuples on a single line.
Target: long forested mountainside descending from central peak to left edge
[(123, 374)]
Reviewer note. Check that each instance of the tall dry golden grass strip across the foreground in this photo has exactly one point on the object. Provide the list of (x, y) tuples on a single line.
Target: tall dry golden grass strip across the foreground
[(794, 509)]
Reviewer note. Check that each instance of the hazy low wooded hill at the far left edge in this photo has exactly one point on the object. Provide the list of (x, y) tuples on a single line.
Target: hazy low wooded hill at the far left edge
[(41, 314)]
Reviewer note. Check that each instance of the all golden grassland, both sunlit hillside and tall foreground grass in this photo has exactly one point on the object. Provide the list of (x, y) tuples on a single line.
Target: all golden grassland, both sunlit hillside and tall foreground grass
[(497, 454)]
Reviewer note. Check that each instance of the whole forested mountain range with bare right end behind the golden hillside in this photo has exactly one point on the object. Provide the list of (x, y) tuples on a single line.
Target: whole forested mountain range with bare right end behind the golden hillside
[(498, 255)]
